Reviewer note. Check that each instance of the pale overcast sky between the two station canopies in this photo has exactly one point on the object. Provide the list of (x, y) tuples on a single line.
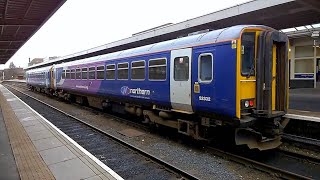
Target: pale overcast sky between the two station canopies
[(82, 24)]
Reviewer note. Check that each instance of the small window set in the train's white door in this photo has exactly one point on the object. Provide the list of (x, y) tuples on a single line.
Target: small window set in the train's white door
[(181, 68)]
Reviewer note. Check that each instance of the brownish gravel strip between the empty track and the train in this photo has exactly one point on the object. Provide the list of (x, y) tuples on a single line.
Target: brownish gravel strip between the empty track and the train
[(195, 161)]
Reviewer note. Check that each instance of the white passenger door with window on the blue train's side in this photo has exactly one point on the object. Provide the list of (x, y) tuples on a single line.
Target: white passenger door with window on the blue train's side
[(180, 79)]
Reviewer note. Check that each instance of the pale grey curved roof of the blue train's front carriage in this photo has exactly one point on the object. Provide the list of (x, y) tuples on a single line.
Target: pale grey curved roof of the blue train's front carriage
[(214, 36)]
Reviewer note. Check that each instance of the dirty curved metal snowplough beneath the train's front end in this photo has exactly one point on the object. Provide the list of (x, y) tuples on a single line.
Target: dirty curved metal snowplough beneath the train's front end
[(255, 140)]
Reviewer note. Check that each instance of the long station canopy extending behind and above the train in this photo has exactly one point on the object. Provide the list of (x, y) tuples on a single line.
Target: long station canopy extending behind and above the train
[(279, 14)]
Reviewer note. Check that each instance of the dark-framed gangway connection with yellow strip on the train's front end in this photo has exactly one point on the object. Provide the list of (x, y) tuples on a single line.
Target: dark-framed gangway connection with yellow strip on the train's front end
[(272, 74)]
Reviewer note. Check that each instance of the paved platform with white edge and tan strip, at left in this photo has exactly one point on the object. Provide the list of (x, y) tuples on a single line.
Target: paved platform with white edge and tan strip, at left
[(33, 148)]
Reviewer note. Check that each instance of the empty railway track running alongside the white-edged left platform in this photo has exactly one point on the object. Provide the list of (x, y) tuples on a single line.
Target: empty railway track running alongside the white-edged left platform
[(128, 161)]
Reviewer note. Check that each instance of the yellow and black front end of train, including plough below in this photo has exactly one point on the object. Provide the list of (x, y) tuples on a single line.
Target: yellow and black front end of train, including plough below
[(262, 88)]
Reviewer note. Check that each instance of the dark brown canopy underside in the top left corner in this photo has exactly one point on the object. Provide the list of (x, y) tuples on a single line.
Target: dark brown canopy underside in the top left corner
[(19, 20)]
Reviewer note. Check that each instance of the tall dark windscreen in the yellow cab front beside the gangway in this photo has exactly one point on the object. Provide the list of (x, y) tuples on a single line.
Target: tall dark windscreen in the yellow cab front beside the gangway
[(247, 53)]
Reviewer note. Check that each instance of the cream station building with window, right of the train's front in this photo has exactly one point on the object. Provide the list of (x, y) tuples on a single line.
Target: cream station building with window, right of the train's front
[(304, 56)]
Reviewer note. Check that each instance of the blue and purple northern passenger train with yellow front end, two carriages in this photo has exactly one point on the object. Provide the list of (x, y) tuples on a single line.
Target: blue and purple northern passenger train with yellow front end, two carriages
[(235, 77)]
